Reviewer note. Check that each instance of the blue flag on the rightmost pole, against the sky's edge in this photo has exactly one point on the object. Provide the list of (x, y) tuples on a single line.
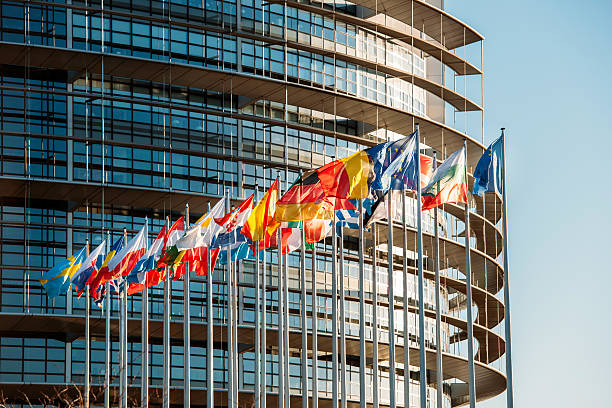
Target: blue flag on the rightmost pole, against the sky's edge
[(488, 173)]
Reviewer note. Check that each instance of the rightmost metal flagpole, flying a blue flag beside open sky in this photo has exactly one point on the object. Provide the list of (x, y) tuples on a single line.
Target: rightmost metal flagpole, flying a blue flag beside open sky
[(509, 390)]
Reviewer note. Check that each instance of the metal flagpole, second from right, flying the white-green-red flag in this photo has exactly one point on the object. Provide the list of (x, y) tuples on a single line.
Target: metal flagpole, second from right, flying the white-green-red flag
[(468, 280)]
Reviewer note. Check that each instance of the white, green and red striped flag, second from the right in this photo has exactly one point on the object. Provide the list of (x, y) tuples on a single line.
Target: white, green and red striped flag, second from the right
[(448, 183)]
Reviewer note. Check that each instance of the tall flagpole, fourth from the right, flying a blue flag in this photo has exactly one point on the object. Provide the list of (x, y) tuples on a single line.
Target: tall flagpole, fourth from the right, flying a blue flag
[(422, 361)]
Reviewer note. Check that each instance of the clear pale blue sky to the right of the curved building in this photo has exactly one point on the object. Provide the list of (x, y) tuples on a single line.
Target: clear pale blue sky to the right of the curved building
[(547, 80)]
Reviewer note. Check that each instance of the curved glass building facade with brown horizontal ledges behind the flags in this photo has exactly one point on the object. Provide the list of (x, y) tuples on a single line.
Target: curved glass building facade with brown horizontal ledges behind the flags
[(113, 111)]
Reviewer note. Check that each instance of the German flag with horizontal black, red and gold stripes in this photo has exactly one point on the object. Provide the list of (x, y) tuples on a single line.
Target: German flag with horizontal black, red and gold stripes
[(306, 200)]
